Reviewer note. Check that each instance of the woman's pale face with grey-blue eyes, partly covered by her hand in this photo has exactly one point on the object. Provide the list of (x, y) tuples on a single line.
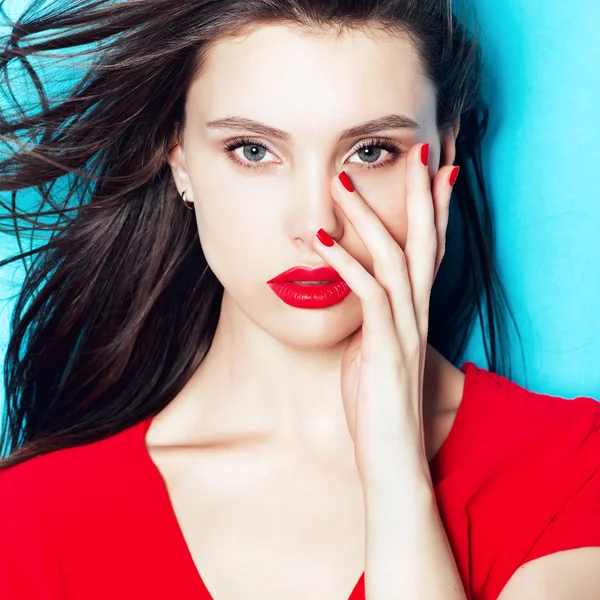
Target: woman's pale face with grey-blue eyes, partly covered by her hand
[(259, 205)]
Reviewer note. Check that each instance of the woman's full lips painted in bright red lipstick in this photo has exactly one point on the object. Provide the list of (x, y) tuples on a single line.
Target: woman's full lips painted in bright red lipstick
[(323, 287)]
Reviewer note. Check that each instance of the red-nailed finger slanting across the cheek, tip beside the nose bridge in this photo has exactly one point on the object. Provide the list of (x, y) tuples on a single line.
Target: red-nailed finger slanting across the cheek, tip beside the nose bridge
[(389, 263)]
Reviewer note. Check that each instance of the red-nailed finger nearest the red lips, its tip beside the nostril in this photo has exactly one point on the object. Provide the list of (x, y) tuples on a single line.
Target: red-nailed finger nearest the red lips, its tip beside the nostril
[(379, 335)]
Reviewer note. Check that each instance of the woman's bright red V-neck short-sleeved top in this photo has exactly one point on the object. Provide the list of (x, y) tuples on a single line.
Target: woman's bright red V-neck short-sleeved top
[(518, 478)]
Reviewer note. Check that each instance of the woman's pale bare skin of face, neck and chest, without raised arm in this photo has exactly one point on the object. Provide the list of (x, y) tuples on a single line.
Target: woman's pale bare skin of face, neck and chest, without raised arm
[(268, 392)]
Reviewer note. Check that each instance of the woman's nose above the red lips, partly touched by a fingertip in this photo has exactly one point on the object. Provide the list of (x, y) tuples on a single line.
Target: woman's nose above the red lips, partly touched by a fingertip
[(312, 207)]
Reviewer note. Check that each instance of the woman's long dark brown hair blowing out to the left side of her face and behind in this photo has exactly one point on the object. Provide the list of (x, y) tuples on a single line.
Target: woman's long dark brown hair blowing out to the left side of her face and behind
[(119, 307)]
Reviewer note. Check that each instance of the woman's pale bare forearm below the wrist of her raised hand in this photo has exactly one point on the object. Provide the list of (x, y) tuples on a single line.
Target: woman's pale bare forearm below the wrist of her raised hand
[(408, 556)]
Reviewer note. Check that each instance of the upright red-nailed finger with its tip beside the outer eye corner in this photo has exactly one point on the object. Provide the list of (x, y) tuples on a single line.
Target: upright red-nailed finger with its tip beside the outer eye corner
[(421, 241)]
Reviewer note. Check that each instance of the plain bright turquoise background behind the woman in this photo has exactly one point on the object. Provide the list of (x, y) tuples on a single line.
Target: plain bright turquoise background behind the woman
[(541, 158)]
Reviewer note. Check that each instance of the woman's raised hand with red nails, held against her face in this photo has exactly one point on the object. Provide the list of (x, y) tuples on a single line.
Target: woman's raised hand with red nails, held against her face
[(384, 361)]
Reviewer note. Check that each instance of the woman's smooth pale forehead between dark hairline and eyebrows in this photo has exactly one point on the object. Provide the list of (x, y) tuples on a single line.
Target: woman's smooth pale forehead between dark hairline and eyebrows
[(290, 78)]
